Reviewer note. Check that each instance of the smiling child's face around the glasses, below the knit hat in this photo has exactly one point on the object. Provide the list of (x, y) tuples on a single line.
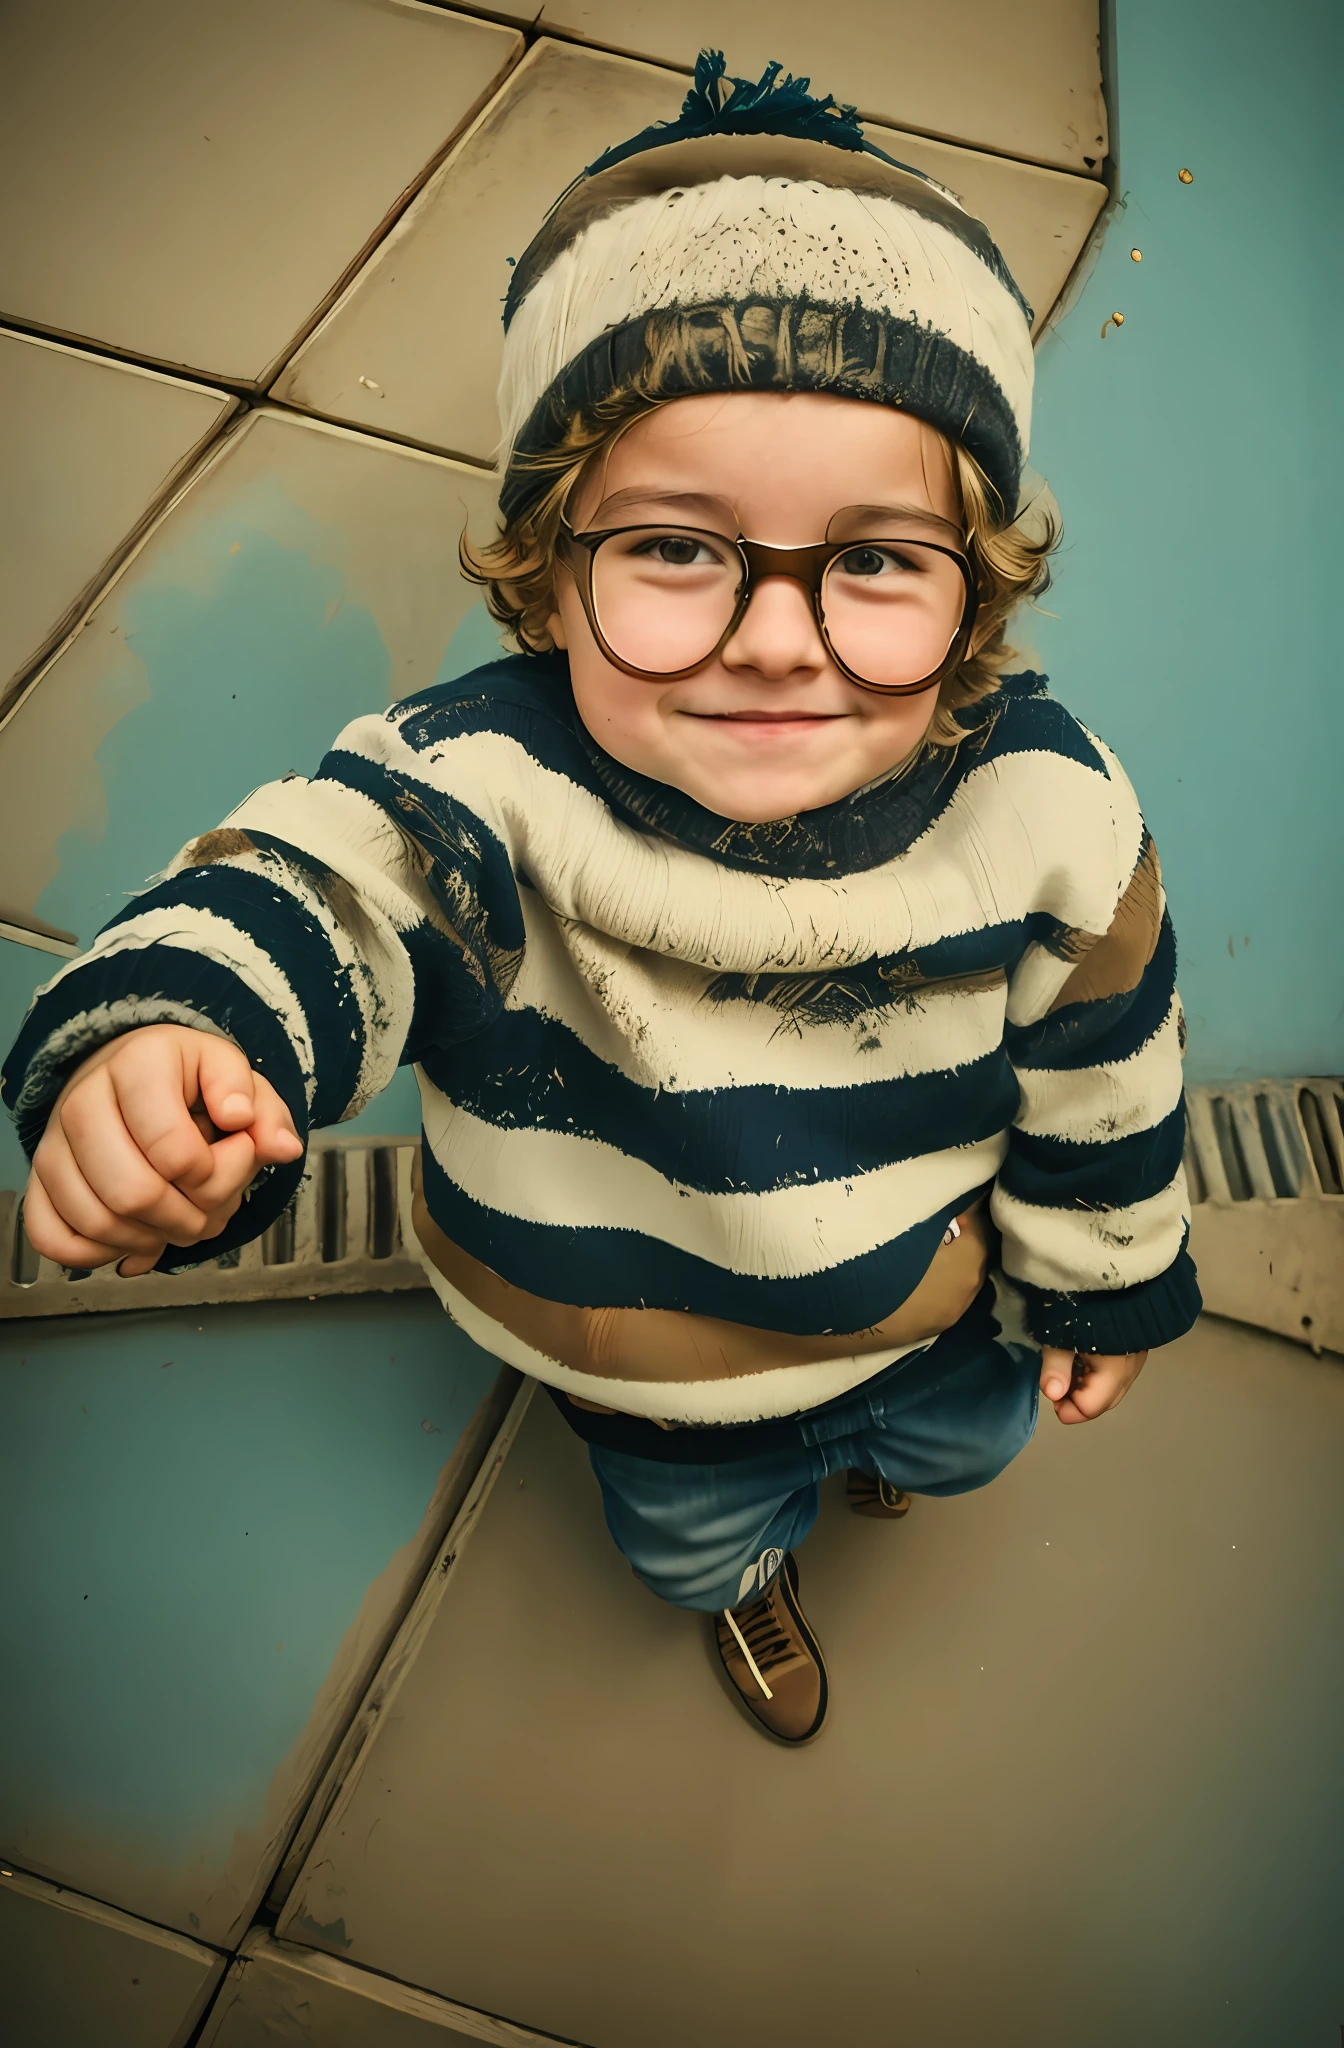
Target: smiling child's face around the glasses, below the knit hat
[(771, 726)]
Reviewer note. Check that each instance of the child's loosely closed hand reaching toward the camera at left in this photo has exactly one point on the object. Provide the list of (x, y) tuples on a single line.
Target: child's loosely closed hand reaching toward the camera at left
[(153, 1144)]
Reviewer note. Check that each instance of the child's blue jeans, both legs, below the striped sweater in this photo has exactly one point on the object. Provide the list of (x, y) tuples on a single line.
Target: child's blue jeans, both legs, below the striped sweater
[(712, 1535)]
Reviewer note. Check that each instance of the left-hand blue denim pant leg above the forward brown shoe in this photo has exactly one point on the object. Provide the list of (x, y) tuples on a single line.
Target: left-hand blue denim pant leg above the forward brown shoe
[(708, 1535)]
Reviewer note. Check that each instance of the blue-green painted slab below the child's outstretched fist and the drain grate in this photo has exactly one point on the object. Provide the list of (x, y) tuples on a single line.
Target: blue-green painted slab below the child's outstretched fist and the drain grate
[(214, 1519)]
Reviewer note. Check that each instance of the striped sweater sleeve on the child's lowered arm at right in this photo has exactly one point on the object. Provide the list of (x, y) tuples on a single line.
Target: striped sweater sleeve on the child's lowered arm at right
[(1091, 1199)]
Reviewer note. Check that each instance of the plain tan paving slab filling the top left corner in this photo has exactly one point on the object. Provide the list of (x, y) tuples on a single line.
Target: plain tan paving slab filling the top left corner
[(190, 185)]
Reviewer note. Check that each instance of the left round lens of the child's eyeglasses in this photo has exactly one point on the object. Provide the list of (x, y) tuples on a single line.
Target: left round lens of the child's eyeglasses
[(663, 597)]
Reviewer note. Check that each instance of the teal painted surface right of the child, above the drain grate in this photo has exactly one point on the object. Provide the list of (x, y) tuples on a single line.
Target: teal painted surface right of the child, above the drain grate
[(1195, 458)]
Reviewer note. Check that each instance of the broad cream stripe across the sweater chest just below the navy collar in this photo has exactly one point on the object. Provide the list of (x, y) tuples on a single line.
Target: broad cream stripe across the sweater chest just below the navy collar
[(1023, 833)]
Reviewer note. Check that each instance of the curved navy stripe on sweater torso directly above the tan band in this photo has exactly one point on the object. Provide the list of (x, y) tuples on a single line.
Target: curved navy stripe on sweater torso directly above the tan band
[(630, 1271)]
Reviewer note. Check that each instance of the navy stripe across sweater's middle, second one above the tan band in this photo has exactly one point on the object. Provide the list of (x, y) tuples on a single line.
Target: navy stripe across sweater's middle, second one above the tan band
[(534, 1074)]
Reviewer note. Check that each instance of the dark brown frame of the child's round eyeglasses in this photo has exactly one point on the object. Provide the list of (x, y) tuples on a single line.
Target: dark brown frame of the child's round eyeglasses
[(800, 564)]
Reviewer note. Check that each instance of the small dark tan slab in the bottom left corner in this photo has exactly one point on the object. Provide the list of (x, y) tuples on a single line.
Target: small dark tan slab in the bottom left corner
[(77, 1973)]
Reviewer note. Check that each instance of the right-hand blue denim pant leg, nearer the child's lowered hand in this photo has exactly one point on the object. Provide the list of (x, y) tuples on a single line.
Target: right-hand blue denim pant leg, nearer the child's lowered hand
[(950, 1431)]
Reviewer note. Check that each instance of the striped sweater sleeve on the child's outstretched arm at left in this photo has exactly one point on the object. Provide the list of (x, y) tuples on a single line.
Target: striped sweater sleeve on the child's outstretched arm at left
[(331, 929)]
